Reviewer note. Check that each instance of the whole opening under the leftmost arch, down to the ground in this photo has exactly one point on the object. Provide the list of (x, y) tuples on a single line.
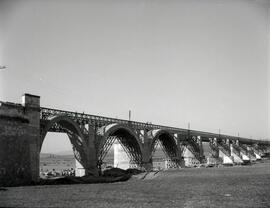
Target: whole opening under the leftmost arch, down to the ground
[(63, 145)]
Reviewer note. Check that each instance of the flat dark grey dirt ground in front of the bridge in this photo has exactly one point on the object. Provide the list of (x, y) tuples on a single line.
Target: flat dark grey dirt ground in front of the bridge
[(246, 186)]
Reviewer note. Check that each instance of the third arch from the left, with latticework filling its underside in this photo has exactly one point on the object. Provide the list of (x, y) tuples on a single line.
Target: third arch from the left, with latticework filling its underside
[(168, 144)]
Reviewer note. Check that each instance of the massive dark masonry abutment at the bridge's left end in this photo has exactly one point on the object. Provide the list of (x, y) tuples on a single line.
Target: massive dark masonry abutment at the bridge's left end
[(19, 141)]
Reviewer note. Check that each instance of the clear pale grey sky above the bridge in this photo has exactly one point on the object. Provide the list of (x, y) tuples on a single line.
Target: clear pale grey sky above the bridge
[(169, 62)]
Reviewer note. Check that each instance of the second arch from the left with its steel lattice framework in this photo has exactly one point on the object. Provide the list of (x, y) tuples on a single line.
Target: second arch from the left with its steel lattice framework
[(125, 136)]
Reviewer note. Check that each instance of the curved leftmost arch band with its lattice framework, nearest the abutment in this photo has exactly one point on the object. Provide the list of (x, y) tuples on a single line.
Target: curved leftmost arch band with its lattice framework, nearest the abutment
[(64, 124)]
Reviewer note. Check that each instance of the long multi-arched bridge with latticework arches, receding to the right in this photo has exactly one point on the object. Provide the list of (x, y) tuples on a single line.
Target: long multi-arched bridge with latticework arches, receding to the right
[(23, 128)]
